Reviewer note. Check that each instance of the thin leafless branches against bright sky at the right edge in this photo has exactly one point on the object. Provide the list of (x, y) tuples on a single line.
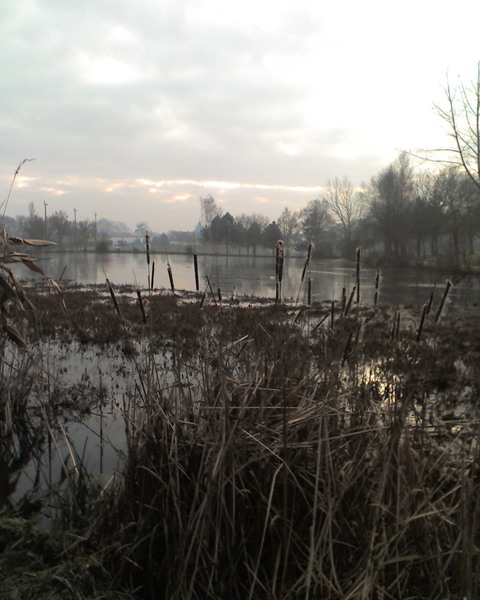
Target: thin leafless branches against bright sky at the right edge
[(462, 116)]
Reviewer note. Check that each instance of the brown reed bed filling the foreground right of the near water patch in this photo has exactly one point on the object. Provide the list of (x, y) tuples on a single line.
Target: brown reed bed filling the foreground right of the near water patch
[(276, 454)]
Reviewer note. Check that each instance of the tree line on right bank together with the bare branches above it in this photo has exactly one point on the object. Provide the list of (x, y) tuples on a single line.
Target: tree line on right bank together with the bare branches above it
[(401, 214)]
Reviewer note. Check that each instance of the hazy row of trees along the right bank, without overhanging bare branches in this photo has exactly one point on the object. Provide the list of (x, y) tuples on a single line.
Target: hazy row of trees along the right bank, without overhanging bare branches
[(400, 215)]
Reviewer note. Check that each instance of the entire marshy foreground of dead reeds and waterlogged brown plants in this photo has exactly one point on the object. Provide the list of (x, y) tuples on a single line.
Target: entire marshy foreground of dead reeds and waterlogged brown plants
[(270, 451)]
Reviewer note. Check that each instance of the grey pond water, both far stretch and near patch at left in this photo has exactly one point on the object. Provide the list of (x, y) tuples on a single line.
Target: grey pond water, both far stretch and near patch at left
[(101, 381)]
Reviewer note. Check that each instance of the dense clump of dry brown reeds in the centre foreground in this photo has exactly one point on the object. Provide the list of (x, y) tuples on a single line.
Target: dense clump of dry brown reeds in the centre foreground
[(283, 470)]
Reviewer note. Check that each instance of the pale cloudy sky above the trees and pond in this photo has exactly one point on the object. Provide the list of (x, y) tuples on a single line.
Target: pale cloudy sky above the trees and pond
[(133, 111)]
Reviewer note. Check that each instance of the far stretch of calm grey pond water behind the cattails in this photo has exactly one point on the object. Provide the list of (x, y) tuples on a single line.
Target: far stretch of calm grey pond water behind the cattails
[(255, 276)]
